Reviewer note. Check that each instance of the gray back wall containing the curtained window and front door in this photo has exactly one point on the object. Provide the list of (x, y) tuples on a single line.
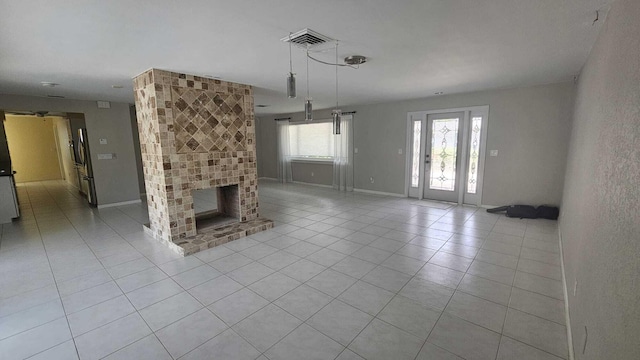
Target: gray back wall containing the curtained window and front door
[(529, 126)]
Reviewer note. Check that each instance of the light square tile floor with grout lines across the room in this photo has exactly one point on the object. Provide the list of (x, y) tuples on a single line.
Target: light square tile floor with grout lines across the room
[(341, 276)]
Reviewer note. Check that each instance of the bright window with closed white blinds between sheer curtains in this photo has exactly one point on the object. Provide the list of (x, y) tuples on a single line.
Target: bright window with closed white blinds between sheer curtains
[(312, 140)]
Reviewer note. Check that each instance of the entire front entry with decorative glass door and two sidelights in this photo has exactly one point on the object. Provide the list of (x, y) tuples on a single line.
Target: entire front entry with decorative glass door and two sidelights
[(446, 154)]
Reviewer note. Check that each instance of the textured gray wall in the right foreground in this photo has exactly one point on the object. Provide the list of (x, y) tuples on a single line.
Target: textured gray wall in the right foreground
[(600, 220)]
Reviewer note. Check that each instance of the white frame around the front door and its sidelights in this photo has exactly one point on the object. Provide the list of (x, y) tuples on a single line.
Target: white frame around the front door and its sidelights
[(468, 113)]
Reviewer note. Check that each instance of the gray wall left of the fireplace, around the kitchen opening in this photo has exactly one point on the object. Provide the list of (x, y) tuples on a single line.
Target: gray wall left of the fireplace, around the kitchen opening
[(116, 180)]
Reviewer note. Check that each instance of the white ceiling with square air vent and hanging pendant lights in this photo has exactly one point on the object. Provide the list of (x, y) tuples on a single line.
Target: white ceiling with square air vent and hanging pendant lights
[(415, 47)]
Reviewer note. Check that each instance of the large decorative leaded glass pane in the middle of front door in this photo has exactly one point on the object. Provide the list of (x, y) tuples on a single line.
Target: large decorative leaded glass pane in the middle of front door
[(444, 151)]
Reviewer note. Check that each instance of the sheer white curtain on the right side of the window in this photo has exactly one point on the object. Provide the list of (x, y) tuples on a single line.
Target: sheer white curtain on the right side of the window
[(343, 157)]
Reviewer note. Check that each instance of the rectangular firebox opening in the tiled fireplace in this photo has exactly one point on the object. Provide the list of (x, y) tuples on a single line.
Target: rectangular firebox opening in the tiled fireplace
[(216, 207)]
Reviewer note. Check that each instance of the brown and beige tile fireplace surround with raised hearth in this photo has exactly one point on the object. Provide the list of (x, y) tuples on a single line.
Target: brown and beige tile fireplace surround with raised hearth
[(196, 133)]
